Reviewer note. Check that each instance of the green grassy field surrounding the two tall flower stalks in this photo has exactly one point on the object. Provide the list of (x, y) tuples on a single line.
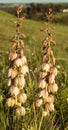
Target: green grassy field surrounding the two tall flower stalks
[(33, 51)]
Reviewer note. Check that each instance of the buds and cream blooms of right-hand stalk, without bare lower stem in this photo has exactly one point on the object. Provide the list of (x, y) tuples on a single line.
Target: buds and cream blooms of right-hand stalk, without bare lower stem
[(47, 85)]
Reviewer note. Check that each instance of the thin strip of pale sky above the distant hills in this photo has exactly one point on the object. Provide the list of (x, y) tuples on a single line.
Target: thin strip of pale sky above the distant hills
[(28, 1)]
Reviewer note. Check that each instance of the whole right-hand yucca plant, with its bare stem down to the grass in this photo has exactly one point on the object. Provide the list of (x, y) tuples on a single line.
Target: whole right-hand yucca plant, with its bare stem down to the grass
[(47, 86)]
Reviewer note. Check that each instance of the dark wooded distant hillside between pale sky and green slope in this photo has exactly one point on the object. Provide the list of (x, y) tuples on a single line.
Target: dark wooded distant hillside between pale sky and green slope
[(37, 11)]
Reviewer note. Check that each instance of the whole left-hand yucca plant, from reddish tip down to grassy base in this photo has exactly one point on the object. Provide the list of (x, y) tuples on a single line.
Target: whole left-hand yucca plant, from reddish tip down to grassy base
[(17, 73)]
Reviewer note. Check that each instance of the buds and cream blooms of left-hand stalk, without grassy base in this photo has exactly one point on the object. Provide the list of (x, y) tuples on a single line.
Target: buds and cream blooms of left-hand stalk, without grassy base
[(17, 71)]
